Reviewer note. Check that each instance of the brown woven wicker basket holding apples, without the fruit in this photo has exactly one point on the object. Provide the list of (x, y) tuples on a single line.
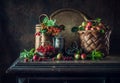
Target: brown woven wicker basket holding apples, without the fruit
[(94, 40)]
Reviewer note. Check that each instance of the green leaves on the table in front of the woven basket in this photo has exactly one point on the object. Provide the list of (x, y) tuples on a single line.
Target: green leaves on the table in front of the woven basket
[(96, 55)]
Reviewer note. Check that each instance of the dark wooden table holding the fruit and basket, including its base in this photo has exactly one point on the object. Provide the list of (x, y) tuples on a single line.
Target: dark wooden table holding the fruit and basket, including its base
[(101, 71)]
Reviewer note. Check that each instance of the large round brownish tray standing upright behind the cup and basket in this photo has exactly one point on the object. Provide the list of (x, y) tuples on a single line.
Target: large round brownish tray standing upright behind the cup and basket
[(69, 18)]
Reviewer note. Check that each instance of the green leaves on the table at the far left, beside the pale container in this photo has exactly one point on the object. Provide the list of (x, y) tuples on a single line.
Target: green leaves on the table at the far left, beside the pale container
[(27, 54)]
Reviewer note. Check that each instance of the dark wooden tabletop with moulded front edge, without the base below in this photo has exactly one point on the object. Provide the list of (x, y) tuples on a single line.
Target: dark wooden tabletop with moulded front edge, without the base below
[(109, 66)]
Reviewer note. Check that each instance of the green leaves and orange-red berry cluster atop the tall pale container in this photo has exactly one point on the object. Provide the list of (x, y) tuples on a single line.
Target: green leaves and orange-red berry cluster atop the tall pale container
[(50, 27)]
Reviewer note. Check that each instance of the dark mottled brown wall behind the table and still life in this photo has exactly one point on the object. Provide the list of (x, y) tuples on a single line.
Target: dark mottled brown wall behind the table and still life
[(19, 17)]
